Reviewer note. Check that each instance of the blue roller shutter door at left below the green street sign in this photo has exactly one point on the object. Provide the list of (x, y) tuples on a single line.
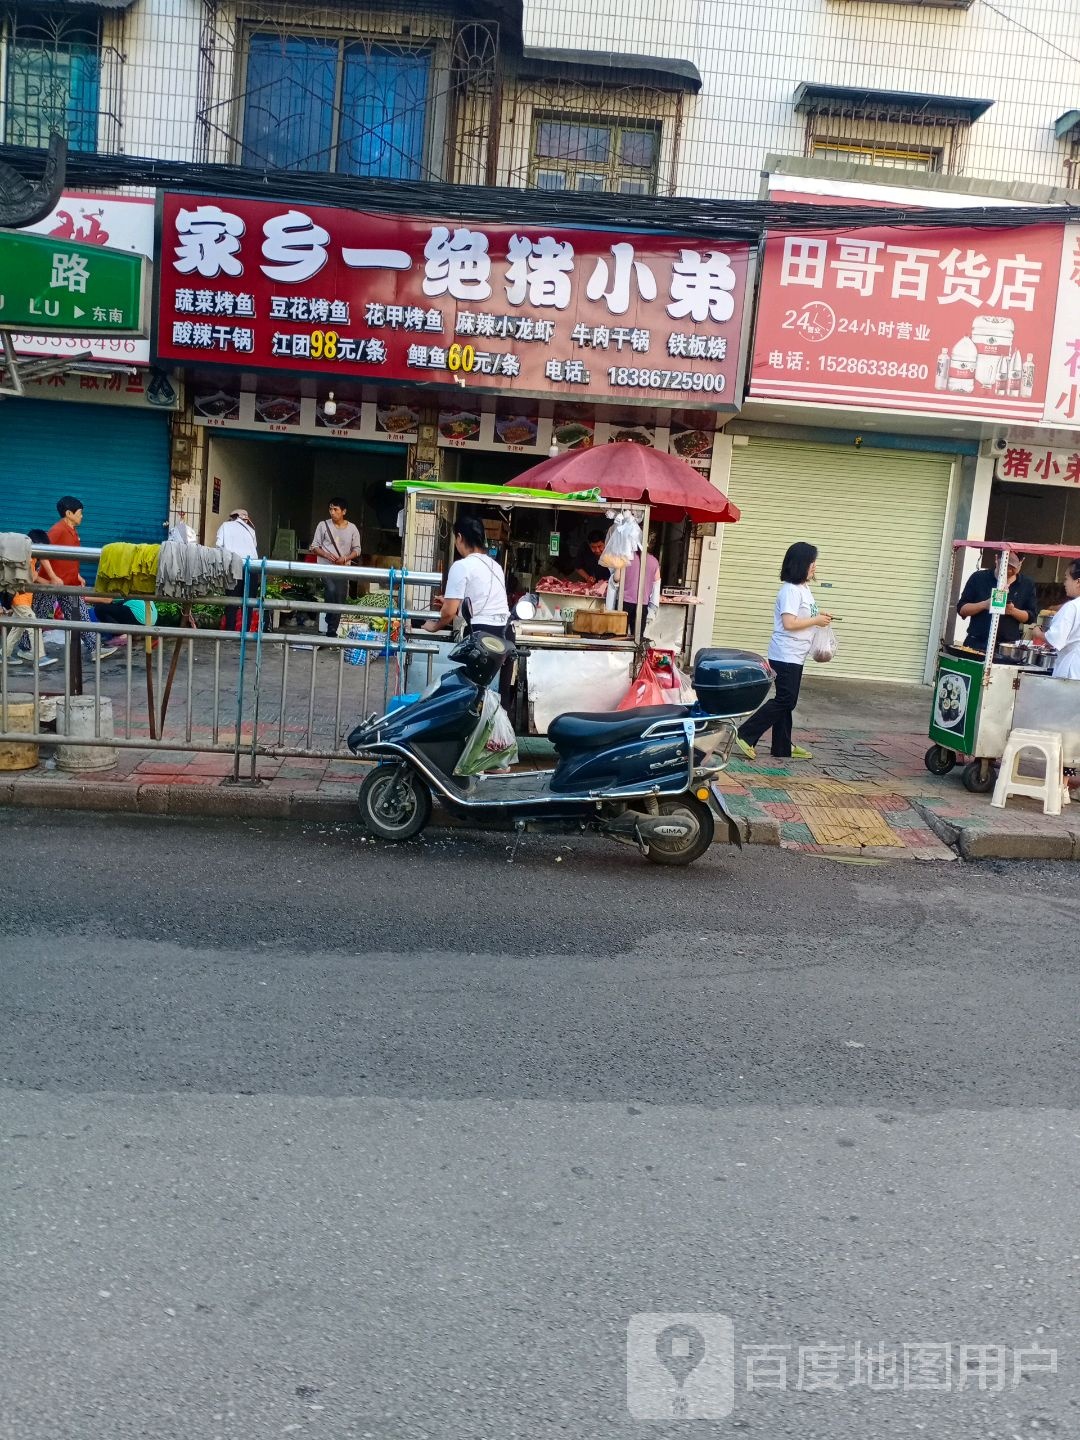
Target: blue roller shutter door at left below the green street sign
[(114, 460)]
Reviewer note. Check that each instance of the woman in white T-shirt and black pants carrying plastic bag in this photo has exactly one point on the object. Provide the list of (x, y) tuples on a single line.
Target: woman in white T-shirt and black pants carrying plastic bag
[(794, 620)]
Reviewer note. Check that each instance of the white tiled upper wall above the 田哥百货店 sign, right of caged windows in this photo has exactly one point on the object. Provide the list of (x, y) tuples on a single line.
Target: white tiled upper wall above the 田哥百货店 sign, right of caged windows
[(754, 54)]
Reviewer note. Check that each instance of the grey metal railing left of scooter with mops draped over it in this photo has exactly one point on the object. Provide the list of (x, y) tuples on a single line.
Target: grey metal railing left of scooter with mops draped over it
[(240, 693)]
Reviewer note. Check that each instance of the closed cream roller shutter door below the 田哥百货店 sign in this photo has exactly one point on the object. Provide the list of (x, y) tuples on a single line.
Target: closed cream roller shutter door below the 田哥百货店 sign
[(878, 519)]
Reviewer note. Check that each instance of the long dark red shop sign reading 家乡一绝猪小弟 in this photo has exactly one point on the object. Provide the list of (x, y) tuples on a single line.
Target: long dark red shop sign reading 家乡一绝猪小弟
[(528, 310)]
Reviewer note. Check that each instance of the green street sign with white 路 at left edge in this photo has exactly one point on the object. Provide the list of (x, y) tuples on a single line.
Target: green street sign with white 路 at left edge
[(61, 287)]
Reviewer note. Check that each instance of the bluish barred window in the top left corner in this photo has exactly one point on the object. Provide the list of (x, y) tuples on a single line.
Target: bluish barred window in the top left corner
[(53, 81)]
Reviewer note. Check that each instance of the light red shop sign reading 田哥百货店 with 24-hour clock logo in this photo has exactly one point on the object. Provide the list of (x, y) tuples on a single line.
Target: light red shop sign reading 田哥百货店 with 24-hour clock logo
[(954, 323)]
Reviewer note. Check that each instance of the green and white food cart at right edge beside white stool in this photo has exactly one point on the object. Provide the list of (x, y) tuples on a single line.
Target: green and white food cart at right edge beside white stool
[(980, 698)]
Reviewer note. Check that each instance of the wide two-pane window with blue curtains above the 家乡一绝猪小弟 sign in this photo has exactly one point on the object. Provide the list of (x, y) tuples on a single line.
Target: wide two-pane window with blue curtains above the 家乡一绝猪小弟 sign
[(318, 103)]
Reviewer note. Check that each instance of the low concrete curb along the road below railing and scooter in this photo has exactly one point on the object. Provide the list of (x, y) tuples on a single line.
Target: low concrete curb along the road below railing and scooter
[(217, 801)]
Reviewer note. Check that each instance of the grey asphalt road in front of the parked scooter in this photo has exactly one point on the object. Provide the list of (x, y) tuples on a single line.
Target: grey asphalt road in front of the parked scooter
[(306, 1137)]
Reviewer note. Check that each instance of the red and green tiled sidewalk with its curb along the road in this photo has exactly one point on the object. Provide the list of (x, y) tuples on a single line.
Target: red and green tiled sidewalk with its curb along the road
[(866, 796)]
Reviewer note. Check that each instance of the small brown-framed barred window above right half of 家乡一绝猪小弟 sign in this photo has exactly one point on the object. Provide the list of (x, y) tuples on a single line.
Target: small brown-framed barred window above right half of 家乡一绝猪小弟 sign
[(574, 155)]
